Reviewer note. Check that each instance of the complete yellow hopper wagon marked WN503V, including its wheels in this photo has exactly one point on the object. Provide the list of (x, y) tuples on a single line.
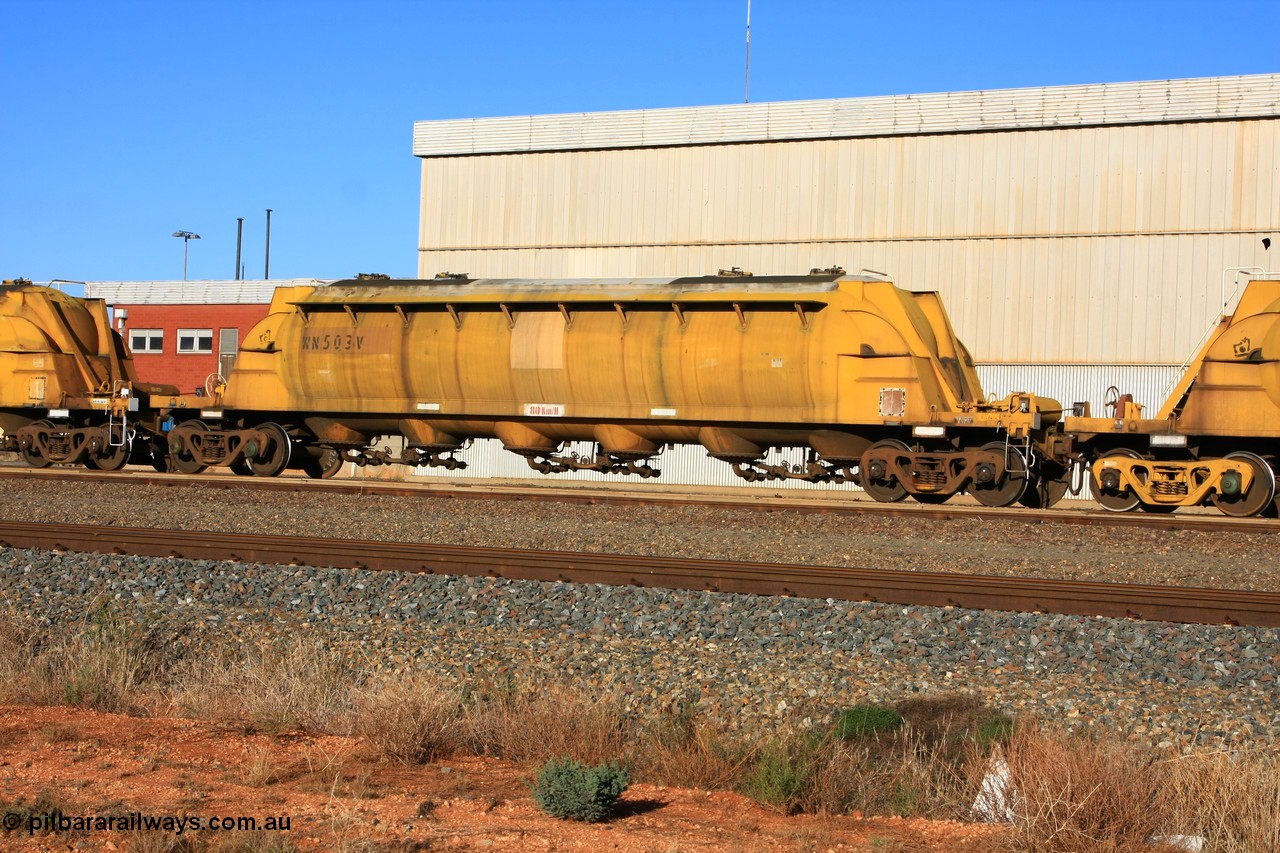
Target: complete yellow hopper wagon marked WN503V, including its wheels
[(862, 375)]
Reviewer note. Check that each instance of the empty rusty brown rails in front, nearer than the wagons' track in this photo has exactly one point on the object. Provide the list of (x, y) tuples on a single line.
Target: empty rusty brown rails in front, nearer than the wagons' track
[(935, 590)]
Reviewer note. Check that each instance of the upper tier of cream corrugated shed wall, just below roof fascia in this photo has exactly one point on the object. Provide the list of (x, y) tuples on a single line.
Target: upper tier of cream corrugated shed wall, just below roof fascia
[(1209, 177)]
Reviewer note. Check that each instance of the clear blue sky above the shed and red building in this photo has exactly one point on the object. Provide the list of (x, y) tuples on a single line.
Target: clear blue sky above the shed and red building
[(125, 122)]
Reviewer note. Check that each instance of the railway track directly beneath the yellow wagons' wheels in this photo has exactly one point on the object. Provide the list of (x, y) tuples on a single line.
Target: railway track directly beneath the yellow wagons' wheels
[(587, 494)]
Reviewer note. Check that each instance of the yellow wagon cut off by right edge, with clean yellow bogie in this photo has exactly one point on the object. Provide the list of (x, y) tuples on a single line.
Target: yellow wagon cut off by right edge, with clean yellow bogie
[(1217, 439)]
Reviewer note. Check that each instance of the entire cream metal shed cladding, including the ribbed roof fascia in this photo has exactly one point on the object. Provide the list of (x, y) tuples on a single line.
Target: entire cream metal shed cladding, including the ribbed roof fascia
[(1069, 225)]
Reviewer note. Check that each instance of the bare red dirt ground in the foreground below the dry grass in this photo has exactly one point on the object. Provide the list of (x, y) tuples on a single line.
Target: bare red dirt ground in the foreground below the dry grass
[(337, 797)]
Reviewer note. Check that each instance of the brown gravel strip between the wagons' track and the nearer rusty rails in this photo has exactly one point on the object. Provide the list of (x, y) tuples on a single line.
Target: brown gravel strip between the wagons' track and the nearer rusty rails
[(915, 544)]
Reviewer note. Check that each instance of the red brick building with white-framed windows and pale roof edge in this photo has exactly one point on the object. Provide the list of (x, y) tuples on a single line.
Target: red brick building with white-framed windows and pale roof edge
[(181, 334)]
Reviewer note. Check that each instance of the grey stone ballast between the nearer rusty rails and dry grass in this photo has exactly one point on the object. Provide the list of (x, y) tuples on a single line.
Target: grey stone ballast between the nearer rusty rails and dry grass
[(747, 662)]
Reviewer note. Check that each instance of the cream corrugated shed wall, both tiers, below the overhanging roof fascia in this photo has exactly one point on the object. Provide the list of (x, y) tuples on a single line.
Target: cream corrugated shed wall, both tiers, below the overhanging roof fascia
[(1086, 245)]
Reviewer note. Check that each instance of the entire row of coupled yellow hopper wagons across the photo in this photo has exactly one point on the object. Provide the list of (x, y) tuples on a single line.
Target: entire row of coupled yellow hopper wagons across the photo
[(867, 378)]
